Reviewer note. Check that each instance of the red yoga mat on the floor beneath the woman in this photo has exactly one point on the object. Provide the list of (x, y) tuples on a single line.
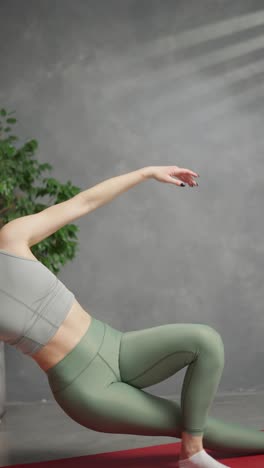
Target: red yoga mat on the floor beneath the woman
[(159, 456)]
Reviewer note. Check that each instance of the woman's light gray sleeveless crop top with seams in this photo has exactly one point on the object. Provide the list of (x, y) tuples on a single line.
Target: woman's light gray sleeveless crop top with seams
[(33, 302)]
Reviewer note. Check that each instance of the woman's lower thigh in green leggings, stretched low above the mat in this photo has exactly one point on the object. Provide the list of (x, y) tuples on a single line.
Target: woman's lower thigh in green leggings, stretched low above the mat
[(98, 401)]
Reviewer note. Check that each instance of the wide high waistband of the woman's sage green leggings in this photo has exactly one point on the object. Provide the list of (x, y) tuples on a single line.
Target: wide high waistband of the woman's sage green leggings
[(73, 363)]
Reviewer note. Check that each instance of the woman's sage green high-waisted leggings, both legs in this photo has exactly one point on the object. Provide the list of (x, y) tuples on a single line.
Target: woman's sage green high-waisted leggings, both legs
[(99, 384)]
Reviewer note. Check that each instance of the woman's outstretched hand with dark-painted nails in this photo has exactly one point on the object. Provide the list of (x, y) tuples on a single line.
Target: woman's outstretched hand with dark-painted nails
[(168, 174)]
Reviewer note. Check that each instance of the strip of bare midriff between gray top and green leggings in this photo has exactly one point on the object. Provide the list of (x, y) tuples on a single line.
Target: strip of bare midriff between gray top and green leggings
[(65, 339)]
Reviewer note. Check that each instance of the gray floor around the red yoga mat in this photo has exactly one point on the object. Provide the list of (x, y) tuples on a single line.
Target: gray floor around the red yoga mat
[(31, 432)]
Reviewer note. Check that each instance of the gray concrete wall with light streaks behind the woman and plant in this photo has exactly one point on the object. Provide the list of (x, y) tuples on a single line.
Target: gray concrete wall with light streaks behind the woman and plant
[(108, 87)]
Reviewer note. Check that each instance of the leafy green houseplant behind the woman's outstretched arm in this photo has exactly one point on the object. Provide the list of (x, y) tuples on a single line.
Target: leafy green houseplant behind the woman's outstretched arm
[(19, 193)]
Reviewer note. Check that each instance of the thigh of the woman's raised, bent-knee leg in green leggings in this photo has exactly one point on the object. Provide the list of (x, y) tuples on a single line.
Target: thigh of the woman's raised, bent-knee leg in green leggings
[(151, 355)]
